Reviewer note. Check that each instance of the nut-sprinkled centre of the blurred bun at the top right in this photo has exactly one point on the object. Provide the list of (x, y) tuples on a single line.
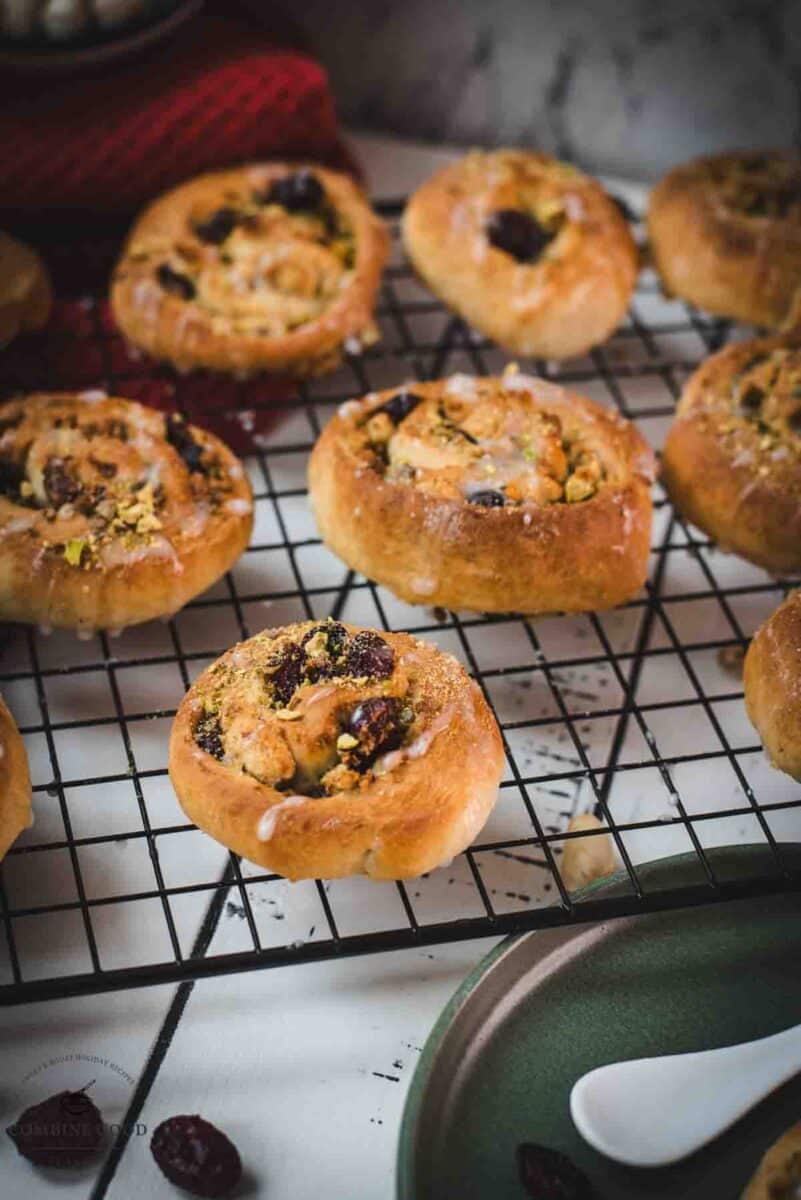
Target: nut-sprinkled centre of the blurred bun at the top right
[(760, 187)]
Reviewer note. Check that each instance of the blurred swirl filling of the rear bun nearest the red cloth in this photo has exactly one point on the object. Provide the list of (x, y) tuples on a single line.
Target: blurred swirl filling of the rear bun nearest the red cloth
[(261, 263)]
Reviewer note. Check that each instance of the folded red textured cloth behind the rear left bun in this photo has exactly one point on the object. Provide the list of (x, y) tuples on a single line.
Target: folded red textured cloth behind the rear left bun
[(109, 141)]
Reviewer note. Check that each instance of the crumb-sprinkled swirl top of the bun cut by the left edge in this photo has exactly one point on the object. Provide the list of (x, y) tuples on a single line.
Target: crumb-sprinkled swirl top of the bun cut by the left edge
[(92, 485)]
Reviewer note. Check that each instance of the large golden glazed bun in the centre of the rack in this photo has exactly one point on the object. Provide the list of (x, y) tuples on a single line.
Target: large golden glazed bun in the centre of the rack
[(495, 495)]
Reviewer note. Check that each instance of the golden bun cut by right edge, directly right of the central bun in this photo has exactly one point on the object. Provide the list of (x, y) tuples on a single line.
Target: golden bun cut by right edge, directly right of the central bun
[(732, 459)]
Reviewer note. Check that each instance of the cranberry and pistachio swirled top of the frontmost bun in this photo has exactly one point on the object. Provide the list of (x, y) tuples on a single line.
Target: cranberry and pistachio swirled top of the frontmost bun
[(311, 711)]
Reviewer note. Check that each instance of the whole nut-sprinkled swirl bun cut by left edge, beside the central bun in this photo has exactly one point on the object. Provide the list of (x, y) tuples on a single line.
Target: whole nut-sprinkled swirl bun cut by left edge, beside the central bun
[(111, 513)]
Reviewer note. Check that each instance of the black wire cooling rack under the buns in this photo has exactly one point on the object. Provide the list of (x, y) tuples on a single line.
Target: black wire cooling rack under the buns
[(635, 715)]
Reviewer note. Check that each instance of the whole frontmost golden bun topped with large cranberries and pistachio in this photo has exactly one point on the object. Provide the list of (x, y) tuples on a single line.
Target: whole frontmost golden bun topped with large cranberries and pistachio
[(323, 751)]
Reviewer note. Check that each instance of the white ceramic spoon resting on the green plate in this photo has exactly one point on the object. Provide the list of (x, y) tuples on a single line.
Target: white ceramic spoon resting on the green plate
[(653, 1112)]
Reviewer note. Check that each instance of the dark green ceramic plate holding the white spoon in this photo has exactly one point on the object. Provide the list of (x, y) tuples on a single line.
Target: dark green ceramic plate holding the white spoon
[(543, 1010)]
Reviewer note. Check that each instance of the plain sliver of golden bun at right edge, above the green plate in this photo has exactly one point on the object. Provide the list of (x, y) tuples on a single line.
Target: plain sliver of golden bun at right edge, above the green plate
[(773, 686)]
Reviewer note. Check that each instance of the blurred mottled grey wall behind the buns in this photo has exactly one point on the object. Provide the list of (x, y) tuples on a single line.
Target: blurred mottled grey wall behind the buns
[(628, 87)]
